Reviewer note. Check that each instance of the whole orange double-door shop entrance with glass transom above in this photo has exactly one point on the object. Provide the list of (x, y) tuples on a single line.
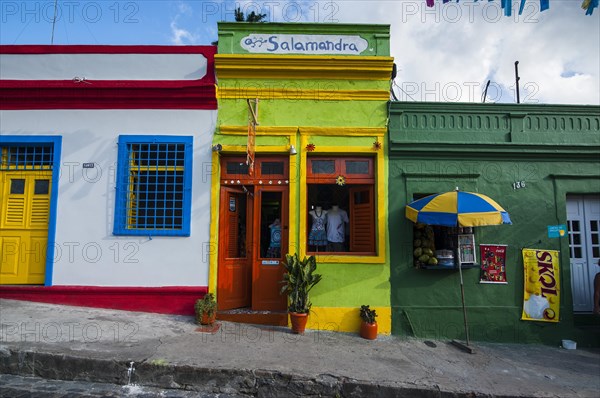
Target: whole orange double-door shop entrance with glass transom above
[(253, 237)]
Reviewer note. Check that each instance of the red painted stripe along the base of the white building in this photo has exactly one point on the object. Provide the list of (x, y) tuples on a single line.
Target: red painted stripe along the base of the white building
[(178, 300)]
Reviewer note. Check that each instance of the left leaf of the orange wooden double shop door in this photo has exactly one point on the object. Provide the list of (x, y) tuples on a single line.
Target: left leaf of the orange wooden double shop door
[(234, 276)]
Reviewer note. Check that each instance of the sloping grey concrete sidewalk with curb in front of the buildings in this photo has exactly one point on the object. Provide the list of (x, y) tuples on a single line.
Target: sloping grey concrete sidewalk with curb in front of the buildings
[(76, 343)]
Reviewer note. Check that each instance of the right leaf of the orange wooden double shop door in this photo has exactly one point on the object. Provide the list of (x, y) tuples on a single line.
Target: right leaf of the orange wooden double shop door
[(270, 247)]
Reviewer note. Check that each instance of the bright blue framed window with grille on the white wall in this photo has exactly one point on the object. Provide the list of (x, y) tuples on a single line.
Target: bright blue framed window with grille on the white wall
[(154, 185)]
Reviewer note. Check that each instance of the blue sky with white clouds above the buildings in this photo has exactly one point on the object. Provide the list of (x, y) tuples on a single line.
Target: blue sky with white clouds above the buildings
[(445, 53)]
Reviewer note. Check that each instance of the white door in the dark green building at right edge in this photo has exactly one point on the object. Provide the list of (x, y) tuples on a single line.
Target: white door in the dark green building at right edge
[(583, 217)]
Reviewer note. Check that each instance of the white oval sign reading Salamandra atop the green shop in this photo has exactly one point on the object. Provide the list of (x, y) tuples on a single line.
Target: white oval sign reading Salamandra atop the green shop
[(304, 44)]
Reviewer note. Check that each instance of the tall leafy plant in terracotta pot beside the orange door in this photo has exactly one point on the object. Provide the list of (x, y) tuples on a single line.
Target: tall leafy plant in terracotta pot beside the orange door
[(299, 279)]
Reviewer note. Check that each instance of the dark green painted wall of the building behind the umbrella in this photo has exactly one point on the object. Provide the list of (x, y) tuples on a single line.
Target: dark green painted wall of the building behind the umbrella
[(554, 161)]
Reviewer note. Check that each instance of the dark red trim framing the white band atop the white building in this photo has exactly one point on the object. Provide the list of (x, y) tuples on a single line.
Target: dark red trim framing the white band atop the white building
[(110, 94)]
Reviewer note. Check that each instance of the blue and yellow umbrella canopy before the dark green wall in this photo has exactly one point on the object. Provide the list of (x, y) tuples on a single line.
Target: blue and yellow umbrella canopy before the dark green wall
[(457, 209)]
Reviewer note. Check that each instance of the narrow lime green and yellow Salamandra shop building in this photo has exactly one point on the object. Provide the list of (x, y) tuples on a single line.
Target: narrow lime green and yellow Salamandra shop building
[(306, 104)]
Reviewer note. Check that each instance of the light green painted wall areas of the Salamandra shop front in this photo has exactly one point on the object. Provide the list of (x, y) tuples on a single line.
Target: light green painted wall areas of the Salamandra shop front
[(343, 284)]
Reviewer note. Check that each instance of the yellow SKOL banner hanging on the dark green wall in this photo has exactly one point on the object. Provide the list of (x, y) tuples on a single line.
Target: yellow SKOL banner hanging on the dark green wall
[(541, 300)]
